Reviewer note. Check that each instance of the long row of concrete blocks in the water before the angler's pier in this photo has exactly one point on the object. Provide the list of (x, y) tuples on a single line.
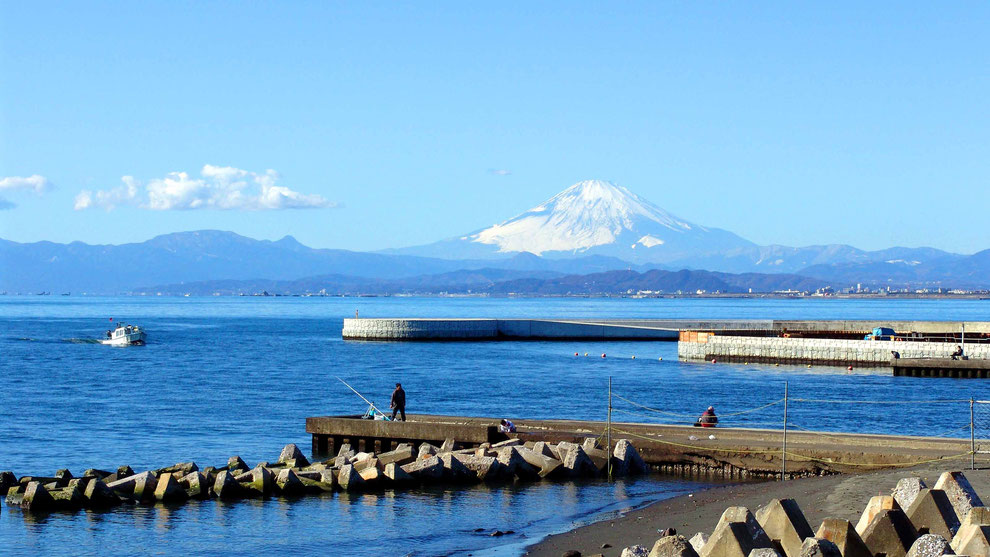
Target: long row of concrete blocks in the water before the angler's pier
[(294, 476)]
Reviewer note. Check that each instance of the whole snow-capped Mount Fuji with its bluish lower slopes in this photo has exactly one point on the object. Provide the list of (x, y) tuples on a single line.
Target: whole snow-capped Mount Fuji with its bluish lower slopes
[(592, 217)]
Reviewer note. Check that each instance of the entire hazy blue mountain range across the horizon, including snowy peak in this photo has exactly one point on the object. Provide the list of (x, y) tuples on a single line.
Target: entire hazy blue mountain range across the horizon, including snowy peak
[(591, 228)]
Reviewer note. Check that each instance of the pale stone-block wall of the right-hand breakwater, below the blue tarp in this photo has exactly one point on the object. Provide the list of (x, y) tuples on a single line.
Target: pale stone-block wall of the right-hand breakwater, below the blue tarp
[(825, 351)]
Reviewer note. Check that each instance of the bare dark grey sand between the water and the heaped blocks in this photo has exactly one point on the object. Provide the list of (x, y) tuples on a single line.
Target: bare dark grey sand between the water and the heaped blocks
[(842, 496)]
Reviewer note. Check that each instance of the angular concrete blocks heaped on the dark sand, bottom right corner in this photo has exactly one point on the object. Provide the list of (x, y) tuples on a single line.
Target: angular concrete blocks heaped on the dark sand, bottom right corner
[(913, 521)]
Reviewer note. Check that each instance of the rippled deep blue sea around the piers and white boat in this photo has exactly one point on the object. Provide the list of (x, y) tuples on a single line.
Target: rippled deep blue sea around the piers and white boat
[(225, 376)]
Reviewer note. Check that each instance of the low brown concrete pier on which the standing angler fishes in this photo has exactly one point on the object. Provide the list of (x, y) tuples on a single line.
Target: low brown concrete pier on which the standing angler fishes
[(734, 453)]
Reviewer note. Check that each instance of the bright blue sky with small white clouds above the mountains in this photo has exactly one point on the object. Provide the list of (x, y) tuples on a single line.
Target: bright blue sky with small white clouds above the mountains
[(397, 124)]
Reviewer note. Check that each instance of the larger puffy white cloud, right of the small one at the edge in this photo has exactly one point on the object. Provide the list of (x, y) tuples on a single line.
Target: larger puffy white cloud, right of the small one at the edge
[(219, 187)]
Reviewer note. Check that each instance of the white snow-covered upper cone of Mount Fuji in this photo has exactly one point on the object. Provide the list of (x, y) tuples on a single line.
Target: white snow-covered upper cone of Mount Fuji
[(588, 214)]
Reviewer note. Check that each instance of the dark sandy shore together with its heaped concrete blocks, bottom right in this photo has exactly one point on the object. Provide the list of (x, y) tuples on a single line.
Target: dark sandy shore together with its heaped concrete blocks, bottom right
[(939, 517)]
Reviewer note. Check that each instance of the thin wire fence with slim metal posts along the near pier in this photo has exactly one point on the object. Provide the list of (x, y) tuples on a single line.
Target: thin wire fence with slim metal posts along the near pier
[(960, 419)]
